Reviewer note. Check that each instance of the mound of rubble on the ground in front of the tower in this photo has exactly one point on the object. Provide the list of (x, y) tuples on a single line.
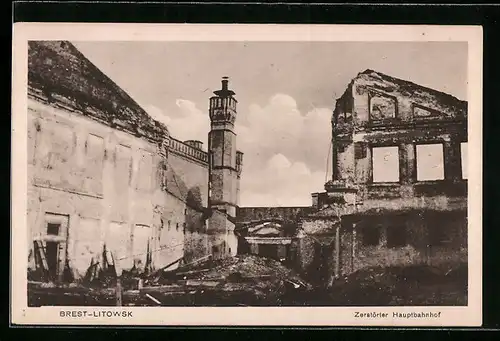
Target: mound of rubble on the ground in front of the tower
[(242, 280)]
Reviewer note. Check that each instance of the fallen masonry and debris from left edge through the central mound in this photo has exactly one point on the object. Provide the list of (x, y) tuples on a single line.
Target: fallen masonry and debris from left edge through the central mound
[(244, 280)]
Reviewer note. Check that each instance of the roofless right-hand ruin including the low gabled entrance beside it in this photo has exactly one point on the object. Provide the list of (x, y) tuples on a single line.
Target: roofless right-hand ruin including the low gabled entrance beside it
[(398, 193)]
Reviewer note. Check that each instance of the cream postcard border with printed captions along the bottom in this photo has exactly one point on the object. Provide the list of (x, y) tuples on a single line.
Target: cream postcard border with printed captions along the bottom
[(470, 315)]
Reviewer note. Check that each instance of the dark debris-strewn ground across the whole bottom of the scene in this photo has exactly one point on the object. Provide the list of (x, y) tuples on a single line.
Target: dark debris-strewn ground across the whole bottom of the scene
[(255, 281)]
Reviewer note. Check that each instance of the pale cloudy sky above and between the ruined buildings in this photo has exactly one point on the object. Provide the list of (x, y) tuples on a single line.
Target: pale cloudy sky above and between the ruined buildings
[(286, 92)]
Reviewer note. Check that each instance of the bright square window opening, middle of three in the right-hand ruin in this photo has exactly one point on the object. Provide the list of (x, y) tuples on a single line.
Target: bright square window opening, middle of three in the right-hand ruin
[(430, 162)]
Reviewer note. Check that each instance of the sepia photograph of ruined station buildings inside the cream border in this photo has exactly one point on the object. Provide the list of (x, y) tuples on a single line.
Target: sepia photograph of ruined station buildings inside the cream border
[(247, 173)]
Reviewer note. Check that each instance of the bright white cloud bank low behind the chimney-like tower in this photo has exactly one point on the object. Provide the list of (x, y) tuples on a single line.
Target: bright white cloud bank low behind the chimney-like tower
[(285, 151)]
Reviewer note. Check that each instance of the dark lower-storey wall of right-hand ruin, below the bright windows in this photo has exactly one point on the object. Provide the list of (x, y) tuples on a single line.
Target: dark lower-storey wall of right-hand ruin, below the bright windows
[(393, 239)]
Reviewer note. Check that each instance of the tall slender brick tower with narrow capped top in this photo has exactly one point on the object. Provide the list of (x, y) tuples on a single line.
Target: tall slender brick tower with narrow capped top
[(225, 168)]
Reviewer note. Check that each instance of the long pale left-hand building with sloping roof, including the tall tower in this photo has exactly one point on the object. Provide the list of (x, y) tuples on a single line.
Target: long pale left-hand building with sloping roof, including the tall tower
[(105, 178)]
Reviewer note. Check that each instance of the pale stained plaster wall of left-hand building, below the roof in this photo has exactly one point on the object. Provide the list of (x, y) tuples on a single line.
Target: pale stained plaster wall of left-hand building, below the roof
[(108, 185)]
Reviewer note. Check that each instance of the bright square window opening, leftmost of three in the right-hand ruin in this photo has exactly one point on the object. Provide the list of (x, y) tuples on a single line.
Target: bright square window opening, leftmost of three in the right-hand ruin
[(385, 163)]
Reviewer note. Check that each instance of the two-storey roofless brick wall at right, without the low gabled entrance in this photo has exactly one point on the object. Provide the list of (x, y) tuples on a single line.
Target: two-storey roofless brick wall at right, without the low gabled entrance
[(378, 112)]
